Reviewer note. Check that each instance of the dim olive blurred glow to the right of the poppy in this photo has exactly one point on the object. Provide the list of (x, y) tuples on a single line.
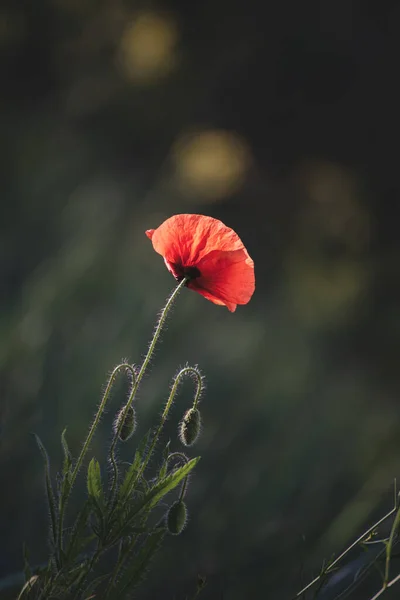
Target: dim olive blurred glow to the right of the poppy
[(326, 274)]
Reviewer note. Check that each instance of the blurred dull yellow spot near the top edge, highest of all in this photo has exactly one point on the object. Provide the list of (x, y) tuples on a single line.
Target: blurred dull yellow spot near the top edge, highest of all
[(147, 47)]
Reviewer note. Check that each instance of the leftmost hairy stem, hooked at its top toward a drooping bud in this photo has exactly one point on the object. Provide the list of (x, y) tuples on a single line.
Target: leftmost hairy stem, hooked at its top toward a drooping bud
[(85, 447)]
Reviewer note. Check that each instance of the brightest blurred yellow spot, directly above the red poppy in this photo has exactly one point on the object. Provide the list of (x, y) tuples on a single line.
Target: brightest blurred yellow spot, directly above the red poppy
[(210, 164)]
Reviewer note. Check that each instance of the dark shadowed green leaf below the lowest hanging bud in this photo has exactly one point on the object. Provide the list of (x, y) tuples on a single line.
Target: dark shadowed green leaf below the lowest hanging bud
[(140, 563)]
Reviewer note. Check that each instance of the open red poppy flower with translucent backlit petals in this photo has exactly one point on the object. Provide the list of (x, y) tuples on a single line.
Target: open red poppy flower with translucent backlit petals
[(210, 254)]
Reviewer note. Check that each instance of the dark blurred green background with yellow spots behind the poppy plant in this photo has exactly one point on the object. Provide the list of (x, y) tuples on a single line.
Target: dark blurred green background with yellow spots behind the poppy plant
[(279, 118)]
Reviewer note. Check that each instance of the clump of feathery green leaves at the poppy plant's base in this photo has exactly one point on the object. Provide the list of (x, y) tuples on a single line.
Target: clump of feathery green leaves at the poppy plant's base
[(100, 526)]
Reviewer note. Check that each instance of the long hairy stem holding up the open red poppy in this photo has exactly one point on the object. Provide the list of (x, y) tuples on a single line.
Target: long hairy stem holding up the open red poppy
[(156, 335)]
